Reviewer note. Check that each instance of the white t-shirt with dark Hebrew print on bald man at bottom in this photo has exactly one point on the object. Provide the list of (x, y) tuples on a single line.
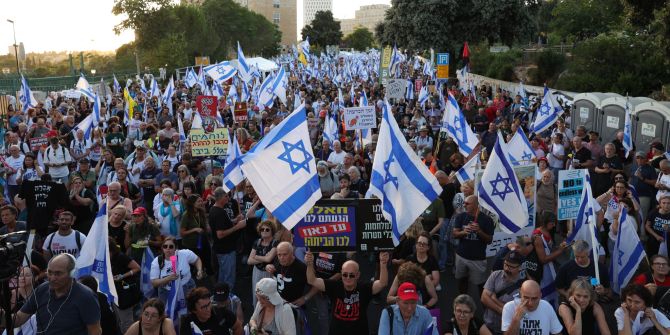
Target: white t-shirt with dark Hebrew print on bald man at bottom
[(541, 321)]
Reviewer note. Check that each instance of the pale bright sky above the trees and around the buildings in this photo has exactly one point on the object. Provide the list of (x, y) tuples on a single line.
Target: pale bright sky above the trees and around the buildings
[(83, 25)]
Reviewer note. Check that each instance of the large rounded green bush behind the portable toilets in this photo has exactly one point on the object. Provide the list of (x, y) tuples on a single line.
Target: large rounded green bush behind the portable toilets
[(615, 62)]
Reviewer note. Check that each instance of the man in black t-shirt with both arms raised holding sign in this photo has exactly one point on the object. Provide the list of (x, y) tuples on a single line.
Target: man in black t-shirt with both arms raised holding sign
[(349, 298)]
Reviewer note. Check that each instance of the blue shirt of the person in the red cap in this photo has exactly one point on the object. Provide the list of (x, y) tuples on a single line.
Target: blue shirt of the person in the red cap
[(418, 324)]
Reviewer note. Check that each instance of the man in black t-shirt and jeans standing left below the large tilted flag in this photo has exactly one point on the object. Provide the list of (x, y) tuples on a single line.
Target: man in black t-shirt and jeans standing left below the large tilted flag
[(225, 235)]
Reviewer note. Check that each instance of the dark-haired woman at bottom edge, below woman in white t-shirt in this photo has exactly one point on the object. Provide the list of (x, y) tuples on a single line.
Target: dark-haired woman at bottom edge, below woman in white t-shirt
[(153, 320)]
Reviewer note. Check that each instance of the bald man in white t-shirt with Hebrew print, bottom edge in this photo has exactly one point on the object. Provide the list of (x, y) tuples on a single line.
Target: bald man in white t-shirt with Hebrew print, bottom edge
[(529, 314)]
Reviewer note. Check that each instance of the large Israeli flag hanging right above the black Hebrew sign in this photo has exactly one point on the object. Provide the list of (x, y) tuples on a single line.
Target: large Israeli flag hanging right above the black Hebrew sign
[(399, 178)]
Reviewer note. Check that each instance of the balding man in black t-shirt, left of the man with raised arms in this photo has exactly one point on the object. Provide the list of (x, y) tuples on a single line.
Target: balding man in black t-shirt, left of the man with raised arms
[(291, 276)]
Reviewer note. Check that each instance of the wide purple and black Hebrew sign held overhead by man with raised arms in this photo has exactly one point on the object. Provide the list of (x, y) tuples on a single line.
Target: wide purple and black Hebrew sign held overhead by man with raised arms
[(344, 225)]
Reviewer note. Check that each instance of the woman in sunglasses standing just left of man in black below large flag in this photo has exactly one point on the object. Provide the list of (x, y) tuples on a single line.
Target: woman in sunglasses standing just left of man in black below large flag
[(263, 252)]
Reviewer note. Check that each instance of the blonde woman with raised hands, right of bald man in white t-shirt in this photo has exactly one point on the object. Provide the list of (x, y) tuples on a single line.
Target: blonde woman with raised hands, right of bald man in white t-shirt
[(581, 314)]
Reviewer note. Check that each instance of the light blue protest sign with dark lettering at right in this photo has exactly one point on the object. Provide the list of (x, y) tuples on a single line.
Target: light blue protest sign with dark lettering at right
[(570, 188)]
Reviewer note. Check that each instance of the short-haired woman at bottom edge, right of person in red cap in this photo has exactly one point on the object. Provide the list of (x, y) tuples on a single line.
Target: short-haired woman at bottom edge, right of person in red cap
[(464, 321)]
